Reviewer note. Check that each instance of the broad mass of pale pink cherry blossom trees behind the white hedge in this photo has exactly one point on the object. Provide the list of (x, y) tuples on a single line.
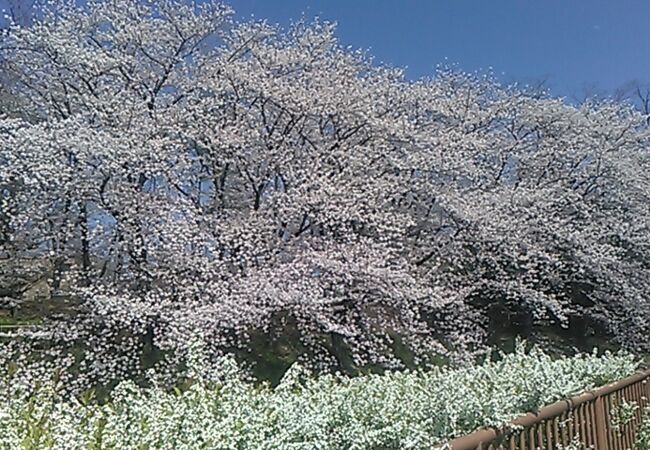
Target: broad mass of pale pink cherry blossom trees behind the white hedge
[(228, 179)]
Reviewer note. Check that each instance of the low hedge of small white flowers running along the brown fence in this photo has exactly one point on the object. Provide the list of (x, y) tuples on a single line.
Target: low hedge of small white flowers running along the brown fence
[(397, 410)]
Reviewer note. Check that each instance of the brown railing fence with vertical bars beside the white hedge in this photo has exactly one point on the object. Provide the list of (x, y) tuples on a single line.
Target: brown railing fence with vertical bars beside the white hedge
[(586, 418)]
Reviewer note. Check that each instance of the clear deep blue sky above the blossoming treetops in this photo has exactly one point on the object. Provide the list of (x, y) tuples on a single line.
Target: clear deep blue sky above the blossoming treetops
[(573, 44)]
